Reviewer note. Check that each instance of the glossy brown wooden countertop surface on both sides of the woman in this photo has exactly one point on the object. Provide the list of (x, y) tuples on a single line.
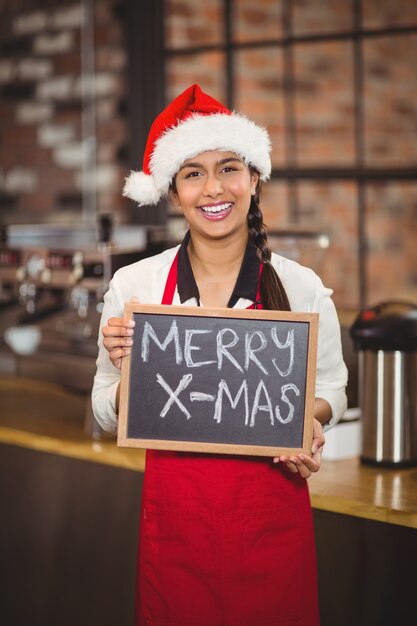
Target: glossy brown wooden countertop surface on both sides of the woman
[(45, 417)]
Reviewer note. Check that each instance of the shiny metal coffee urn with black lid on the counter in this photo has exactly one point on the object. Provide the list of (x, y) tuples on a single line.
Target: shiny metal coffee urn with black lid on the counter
[(385, 336)]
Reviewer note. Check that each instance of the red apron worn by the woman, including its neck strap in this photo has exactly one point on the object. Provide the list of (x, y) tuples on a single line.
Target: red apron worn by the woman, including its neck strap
[(224, 540)]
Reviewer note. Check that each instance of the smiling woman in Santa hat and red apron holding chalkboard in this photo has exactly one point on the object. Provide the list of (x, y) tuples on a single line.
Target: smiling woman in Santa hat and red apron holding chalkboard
[(224, 540)]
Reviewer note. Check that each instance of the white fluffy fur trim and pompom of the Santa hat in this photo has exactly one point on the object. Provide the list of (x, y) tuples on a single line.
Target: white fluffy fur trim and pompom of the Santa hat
[(198, 133)]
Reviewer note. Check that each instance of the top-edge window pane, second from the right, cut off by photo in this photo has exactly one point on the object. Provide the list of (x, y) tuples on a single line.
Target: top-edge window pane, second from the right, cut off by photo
[(322, 16)]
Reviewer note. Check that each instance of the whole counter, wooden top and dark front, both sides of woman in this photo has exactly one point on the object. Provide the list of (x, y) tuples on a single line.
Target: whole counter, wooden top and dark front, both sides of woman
[(70, 516)]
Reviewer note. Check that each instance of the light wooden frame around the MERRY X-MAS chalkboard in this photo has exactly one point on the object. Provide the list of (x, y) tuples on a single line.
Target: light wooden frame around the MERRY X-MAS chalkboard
[(224, 448)]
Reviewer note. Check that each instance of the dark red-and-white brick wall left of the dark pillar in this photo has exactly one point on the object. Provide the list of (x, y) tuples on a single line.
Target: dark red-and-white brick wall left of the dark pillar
[(44, 90)]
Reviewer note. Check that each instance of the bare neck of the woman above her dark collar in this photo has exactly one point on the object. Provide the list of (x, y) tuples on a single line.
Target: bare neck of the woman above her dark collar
[(217, 258)]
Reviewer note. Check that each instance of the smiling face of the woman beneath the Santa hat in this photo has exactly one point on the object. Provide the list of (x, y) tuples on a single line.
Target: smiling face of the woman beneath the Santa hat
[(213, 191)]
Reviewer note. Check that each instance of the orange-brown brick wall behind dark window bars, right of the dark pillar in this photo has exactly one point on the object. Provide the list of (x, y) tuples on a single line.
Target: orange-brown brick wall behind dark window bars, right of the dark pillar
[(317, 127)]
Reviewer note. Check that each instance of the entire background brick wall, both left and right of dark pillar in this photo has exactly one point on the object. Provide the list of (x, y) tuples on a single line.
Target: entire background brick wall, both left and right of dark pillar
[(41, 130)]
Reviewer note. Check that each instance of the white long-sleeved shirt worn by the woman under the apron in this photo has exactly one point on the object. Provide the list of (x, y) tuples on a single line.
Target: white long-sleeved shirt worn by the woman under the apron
[(146, 280)]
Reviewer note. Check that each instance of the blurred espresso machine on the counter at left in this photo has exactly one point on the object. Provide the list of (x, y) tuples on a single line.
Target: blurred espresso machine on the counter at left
[(52, 283)]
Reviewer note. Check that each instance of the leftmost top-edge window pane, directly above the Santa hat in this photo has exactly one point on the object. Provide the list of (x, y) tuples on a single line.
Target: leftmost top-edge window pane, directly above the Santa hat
[(190, 23)]
